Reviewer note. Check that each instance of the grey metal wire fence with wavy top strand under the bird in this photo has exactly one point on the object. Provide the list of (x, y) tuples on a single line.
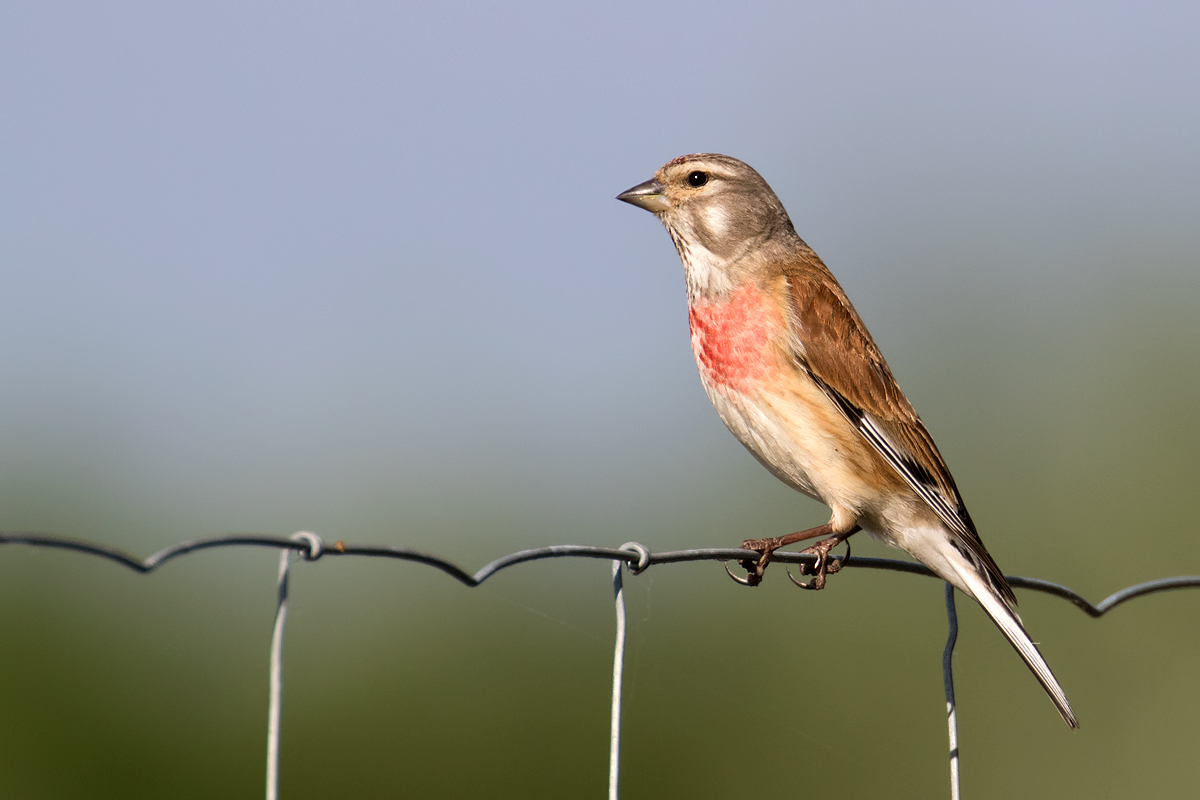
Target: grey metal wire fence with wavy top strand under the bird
[(632, 557)]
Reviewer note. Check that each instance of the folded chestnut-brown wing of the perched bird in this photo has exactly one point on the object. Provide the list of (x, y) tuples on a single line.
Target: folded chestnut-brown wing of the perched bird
[(841, 356)]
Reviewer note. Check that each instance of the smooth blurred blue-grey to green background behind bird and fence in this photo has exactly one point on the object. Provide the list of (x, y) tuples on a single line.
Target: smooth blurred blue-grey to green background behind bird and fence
[(358, 269)]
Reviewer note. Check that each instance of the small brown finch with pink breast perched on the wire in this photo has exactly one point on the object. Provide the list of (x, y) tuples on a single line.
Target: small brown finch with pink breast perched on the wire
[(797, 378)]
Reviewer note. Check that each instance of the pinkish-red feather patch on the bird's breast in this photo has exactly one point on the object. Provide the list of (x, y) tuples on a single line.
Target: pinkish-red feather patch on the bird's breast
[(733, 339)]
